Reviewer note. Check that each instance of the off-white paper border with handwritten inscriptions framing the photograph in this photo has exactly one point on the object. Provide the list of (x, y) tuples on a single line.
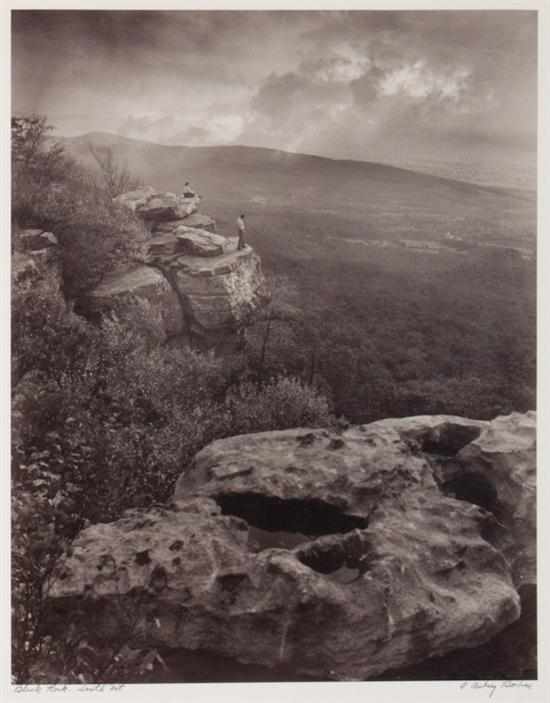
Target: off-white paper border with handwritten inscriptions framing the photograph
[(382, 692)]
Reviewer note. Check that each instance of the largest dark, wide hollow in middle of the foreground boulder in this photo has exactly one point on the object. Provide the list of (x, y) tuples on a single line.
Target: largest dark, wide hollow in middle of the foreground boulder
[(287, 522)]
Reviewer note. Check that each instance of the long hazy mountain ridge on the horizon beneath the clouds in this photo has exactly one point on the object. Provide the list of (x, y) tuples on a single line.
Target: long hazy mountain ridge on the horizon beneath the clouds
[(263, 171)]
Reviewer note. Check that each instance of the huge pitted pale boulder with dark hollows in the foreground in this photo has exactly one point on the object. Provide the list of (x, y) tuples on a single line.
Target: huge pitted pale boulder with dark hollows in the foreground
[(337, 554)]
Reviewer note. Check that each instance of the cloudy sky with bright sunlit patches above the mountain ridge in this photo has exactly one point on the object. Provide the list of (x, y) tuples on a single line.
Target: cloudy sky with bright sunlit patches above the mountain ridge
[(391, 86)]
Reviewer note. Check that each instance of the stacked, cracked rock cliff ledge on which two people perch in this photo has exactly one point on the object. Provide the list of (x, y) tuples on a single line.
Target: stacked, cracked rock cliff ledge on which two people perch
[(215, 288)]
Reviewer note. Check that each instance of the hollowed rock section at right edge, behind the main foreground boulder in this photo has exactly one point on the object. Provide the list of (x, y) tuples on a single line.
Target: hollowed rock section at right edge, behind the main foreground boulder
[(496, 470)]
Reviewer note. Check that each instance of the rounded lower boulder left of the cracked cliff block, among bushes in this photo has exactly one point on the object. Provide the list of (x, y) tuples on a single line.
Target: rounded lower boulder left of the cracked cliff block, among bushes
[(142, 286)]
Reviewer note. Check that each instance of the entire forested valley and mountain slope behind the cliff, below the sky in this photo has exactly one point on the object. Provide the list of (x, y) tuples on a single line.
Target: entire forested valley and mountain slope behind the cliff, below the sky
[(401, 293)]
